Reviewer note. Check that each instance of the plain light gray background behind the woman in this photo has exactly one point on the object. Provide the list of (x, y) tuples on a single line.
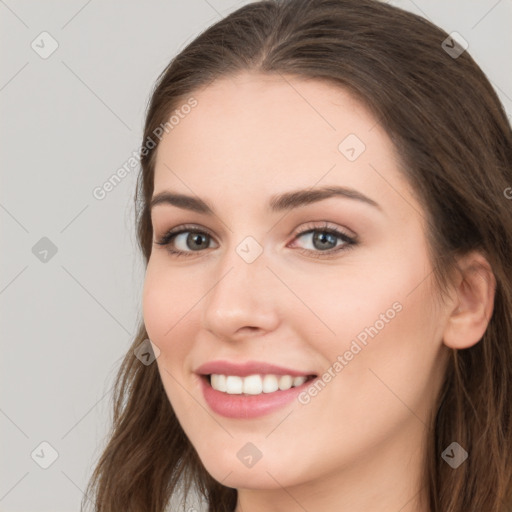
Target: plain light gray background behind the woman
[(68, 122)]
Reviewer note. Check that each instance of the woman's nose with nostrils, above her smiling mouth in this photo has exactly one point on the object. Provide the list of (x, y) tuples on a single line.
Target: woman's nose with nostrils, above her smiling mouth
[(242, 300)]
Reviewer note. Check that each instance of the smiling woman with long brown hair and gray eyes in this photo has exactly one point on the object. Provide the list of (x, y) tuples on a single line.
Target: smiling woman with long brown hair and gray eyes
[(324, 215)]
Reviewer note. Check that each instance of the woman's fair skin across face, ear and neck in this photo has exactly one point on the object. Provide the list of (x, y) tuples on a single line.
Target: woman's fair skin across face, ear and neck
[(359, 444)]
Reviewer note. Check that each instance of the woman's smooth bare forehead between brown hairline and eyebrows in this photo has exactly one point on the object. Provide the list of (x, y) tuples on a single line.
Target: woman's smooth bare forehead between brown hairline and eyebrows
[(254, 133)]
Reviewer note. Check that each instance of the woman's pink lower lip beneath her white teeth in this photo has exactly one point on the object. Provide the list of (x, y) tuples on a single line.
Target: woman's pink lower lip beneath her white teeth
[(248, 406)]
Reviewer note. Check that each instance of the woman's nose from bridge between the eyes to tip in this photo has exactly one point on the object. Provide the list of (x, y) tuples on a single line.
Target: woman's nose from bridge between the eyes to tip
[(241, 294)]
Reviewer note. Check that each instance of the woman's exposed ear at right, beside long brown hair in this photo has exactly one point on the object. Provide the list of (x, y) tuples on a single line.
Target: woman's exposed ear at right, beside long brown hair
[(473, 304)]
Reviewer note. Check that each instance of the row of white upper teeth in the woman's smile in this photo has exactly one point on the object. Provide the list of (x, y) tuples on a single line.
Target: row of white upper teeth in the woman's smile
[(254, 384)]
